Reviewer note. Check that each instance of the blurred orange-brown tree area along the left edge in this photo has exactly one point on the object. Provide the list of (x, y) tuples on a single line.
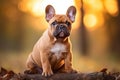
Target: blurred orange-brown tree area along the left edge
[(11, 29)]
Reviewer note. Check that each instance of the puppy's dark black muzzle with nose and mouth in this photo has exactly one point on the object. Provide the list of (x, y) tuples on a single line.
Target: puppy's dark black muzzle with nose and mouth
[(61, 32)]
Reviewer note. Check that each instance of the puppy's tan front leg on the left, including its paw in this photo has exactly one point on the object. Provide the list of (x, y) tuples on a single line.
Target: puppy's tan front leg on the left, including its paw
[(47, 71)]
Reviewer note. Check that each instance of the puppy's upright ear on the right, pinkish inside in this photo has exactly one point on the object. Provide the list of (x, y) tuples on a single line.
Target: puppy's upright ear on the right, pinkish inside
[(71, 12)]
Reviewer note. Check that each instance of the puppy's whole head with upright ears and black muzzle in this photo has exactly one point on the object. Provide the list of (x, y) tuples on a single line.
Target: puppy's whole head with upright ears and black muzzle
[(60, 25)]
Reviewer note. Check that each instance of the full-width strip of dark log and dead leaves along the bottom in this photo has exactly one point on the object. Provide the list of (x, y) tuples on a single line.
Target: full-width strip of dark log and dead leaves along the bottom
[(101, 75)]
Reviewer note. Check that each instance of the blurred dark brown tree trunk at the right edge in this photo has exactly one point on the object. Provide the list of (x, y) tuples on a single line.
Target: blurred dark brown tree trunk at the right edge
[(113, 29)]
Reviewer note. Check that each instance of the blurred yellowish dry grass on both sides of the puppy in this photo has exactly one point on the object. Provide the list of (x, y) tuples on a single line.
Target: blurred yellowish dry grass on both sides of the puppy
[(16, 62)]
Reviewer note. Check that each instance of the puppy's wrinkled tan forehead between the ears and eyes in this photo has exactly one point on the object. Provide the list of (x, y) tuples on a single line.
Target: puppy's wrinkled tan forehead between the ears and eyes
[(60, 18)]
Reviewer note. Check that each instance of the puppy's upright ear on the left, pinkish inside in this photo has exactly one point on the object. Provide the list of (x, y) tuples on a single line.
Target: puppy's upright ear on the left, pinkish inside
[(50, 12)]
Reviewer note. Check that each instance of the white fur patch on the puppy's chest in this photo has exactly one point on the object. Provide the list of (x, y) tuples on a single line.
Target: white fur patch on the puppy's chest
[(59, 49)]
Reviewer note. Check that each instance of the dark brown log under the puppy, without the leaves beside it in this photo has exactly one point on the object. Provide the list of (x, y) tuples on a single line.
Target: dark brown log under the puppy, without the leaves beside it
[(70, 76)]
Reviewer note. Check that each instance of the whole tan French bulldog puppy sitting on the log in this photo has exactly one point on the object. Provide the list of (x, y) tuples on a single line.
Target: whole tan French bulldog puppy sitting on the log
[(52, 52)]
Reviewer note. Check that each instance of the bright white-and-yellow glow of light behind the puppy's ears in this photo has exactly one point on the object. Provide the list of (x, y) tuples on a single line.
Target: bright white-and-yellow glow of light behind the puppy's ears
[(37, 7)]
